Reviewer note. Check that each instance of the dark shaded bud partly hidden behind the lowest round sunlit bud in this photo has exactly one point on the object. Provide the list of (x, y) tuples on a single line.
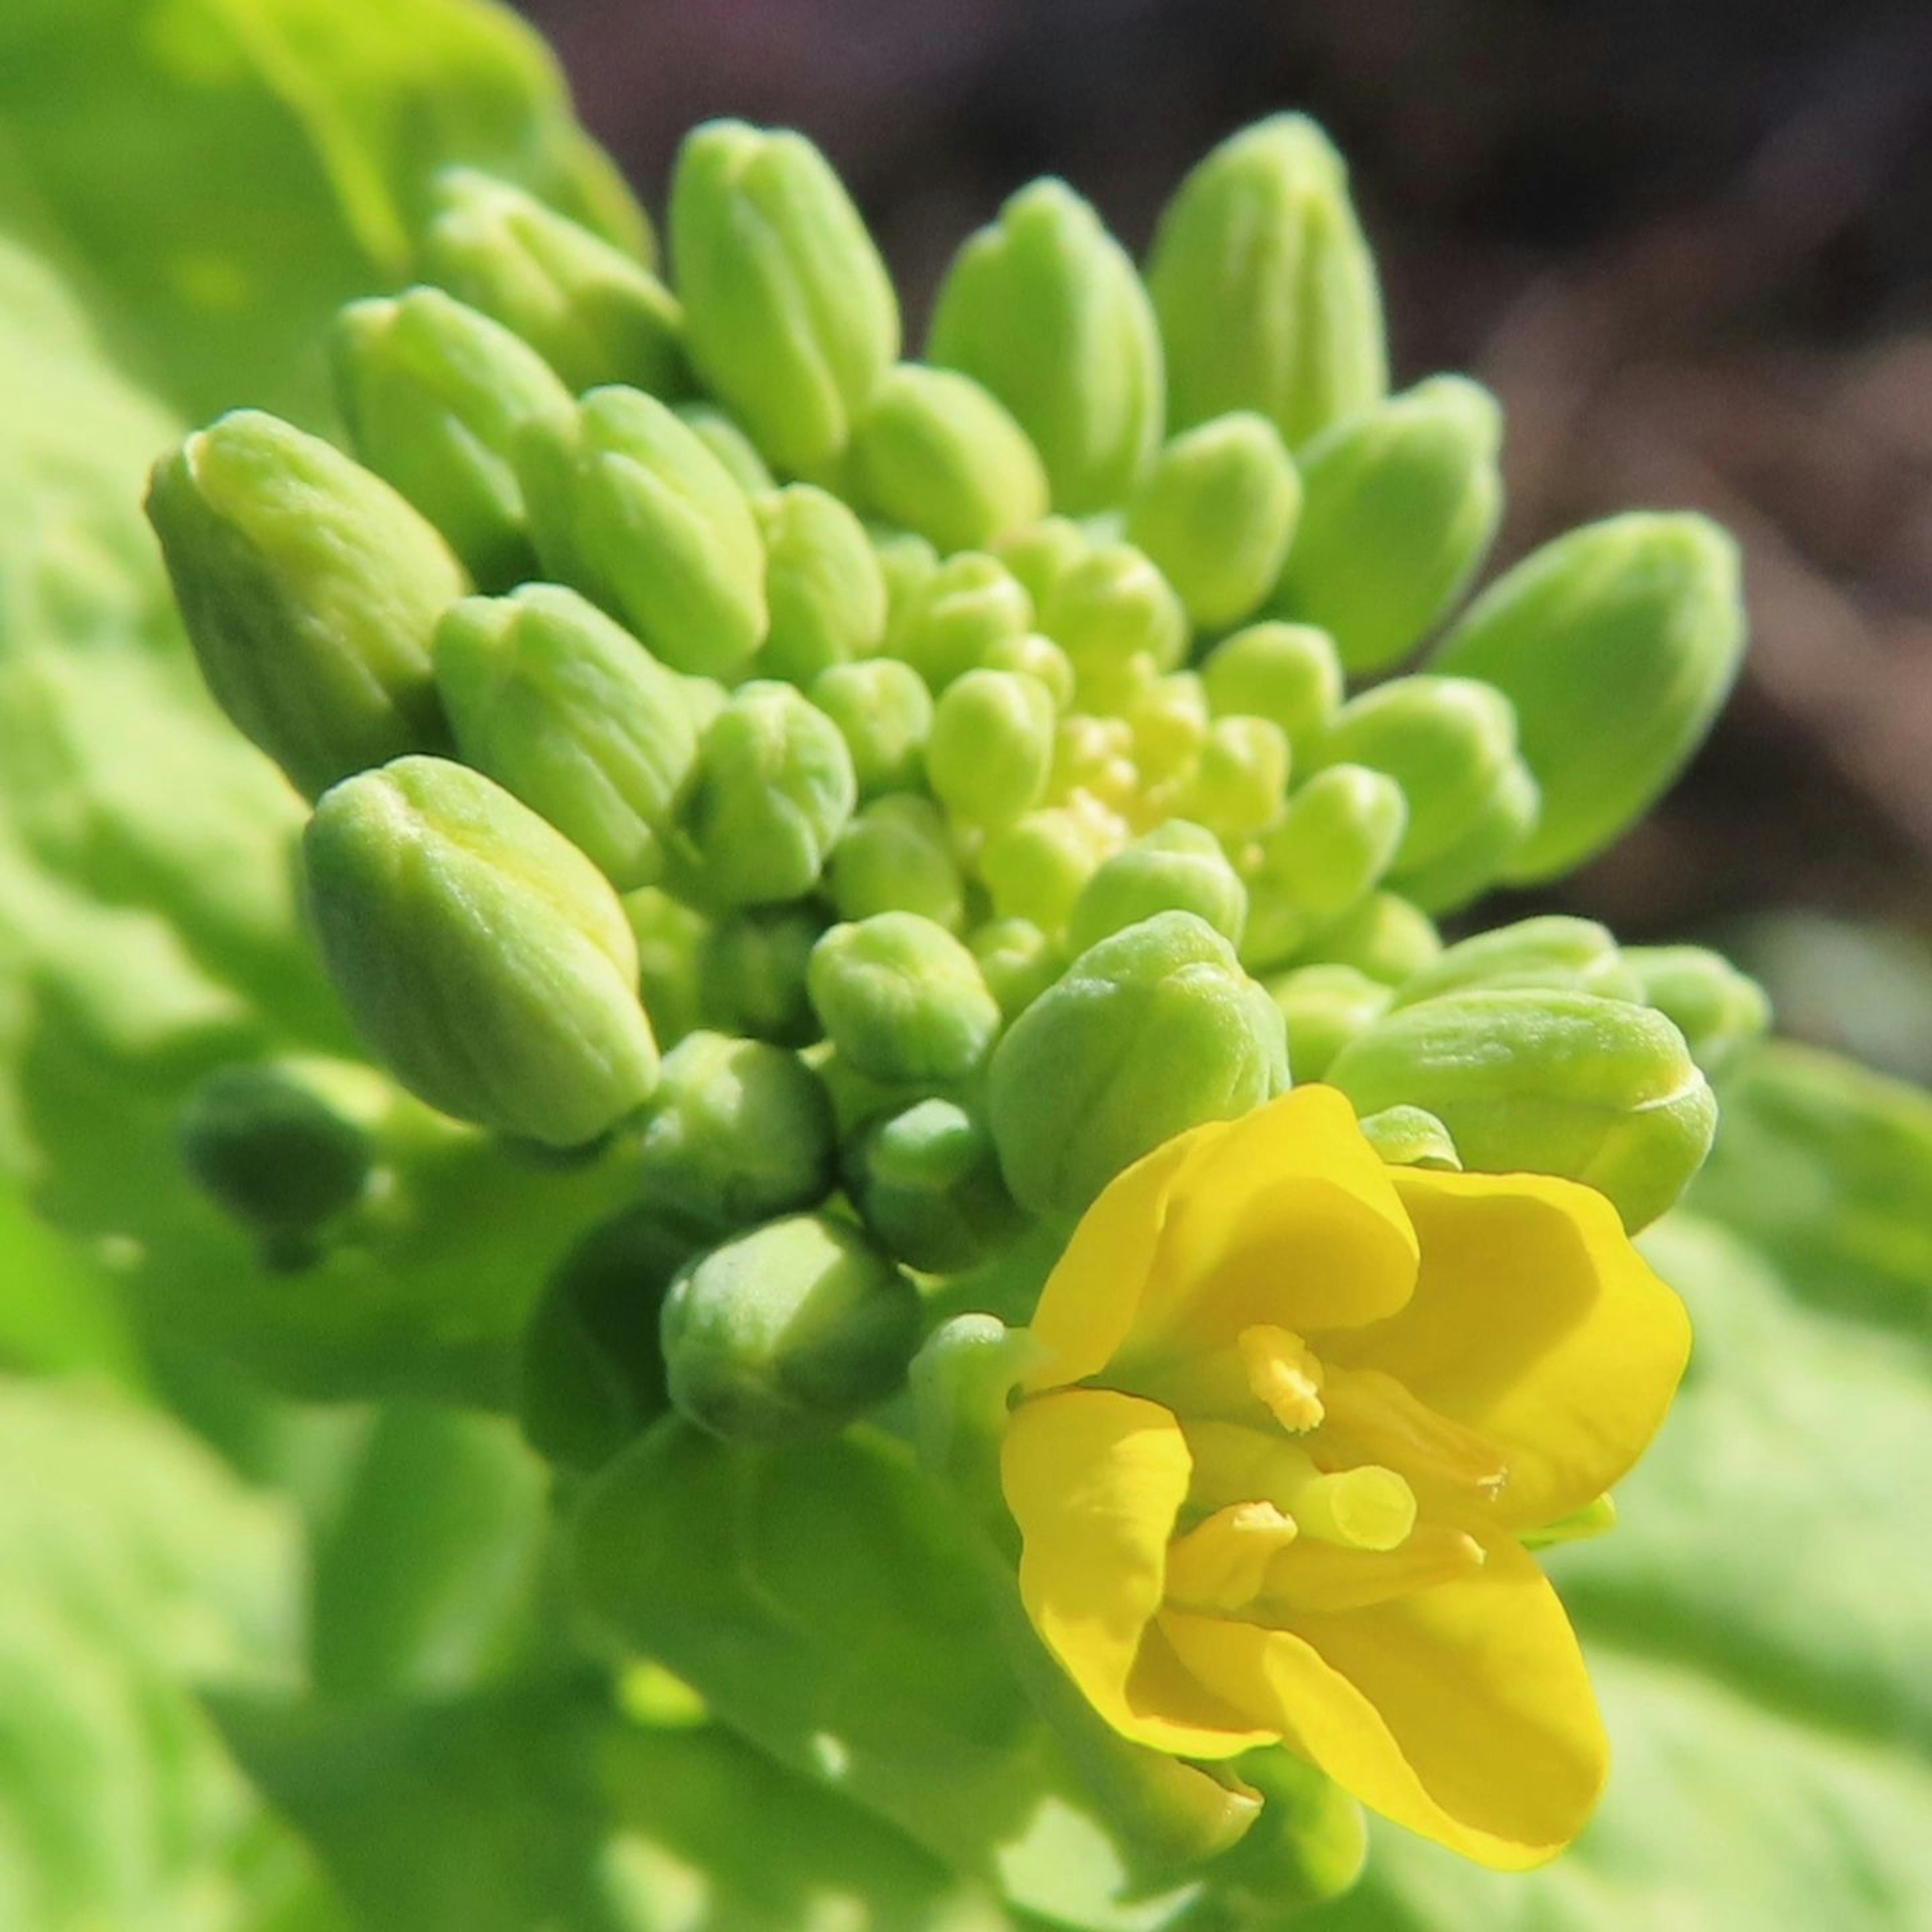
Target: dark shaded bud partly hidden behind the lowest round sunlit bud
[(592, 1377)]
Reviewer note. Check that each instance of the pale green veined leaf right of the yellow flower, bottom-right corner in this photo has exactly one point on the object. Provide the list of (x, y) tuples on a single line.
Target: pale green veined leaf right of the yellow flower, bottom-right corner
[(1759, 1624)]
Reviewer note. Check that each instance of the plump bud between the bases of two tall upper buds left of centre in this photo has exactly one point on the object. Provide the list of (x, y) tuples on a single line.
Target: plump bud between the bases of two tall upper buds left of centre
[(938, 453)]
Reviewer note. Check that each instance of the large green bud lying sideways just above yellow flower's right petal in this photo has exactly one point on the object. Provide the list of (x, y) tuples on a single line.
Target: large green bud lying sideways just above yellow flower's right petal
[(1566, 1085)]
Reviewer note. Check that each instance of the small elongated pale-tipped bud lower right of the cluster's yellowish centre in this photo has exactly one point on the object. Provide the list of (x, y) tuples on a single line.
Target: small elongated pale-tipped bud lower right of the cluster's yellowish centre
[(1334, 845)]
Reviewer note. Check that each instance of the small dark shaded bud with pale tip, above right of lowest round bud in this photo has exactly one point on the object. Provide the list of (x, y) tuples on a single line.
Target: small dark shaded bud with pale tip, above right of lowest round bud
[(928, 1185)]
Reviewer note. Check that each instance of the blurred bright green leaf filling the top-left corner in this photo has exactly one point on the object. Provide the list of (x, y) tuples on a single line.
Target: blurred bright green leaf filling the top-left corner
[(219, 175)]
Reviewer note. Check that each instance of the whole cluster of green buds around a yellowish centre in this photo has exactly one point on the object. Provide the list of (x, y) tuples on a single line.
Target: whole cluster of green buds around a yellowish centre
[(909, 789)]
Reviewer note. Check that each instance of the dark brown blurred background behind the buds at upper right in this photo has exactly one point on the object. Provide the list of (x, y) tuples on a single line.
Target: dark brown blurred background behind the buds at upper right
[(1690, 248)]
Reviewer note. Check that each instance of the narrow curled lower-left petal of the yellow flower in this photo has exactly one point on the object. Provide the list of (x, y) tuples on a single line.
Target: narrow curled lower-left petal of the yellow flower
[(1094, 1483)]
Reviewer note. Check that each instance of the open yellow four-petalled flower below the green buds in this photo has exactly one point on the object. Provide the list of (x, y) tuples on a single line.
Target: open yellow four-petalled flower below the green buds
[(1293, 1417)]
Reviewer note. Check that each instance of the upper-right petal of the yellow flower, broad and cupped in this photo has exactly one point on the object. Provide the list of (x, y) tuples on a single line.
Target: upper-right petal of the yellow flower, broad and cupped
[(1537, 1324)]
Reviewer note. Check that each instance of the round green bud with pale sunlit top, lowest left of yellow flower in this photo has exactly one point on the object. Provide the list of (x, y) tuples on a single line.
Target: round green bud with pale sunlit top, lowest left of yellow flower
[(791, 1330)]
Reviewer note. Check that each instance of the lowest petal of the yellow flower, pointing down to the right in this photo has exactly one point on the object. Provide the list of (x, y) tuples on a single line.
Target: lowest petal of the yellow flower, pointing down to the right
[(1462, 1713)]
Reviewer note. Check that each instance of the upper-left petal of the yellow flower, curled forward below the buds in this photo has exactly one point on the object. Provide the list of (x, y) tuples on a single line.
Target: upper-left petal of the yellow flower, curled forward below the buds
[(1286, 1218)]
